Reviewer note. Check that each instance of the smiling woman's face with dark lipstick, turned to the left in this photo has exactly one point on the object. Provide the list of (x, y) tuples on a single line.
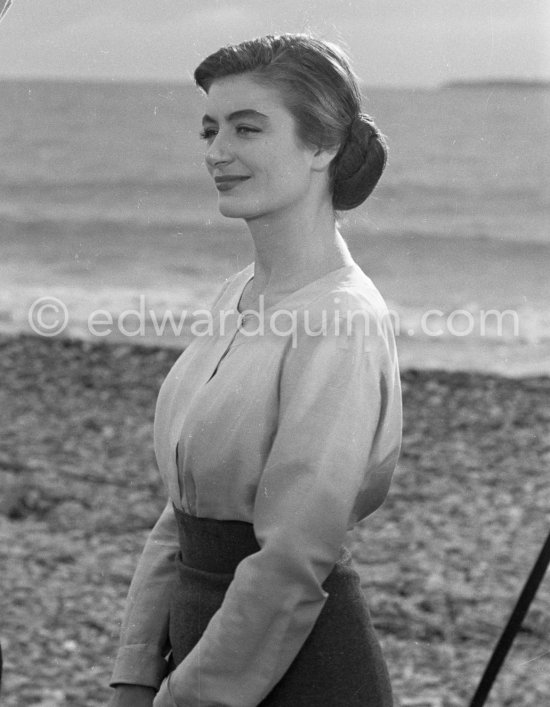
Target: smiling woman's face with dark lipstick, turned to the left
[(253, 154)]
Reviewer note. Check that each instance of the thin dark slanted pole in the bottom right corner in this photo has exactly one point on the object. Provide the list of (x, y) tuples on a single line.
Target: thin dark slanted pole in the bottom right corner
[(513, 626)]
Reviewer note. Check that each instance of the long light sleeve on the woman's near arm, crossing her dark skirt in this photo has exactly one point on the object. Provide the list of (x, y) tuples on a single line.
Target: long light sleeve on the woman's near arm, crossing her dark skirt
[(330, 463)]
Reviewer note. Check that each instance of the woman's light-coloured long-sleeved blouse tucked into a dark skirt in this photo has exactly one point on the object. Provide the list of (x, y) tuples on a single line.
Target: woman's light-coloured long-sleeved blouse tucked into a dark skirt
[(289, 419)]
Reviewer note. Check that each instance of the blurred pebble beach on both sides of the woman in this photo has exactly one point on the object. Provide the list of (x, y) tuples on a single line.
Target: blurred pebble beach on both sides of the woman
[(442, 562)]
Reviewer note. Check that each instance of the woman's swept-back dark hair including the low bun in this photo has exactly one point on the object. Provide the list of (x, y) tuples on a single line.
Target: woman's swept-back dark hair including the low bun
[(319, 88)]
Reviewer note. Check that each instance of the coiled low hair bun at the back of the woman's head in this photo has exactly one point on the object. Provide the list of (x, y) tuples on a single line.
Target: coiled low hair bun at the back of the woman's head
[(359, 163)]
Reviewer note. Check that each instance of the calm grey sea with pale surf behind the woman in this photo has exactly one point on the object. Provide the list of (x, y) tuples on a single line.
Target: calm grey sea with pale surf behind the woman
[(109, 227)]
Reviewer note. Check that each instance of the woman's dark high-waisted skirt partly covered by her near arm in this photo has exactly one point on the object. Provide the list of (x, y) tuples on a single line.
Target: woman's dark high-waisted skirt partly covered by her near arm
[(340, 663)]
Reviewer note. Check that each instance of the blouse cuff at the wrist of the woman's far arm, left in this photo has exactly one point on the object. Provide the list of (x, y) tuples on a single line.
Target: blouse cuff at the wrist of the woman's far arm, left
[(139, 664)]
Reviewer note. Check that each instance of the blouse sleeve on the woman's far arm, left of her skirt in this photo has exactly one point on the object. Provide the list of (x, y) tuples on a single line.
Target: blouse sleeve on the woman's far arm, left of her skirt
[(144, 634)]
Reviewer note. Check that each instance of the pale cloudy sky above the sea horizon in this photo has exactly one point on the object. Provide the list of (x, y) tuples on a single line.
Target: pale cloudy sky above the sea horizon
[(402, 43)]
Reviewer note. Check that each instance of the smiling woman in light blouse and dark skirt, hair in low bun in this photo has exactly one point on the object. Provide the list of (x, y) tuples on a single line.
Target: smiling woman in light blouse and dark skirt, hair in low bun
[(279, 430)]
